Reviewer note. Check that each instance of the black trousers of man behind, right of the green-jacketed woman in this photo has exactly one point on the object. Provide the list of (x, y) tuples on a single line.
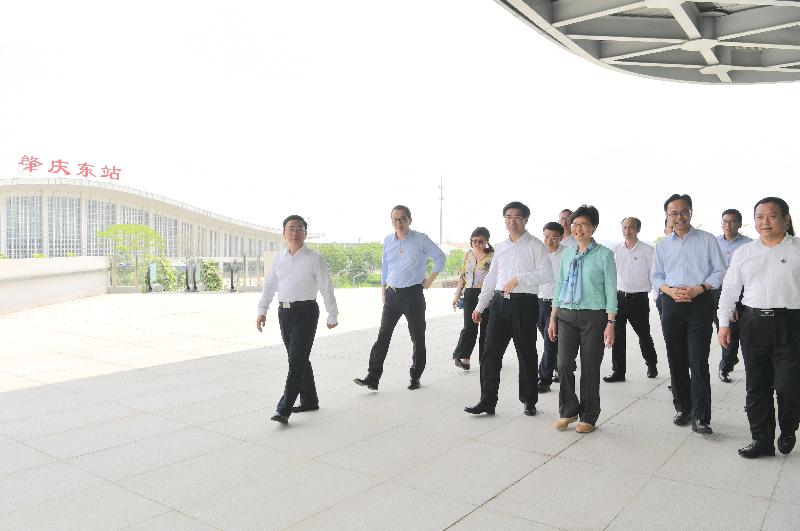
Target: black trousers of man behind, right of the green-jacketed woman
[(635, 307)]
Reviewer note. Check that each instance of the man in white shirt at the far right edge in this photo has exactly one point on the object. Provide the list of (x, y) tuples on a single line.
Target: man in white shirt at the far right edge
[(768, 269)]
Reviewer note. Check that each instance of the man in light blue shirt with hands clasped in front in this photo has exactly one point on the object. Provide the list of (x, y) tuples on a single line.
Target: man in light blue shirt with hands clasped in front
[(687, 265)]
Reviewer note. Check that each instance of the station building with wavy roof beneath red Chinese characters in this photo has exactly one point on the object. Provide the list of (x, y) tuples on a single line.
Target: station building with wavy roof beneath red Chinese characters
[(55, 217)]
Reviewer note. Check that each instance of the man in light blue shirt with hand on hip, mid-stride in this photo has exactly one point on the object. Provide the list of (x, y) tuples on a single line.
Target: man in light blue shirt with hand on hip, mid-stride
[(403, 268)]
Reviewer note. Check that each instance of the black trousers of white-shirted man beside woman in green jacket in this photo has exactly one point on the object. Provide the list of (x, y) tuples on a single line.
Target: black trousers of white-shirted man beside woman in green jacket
[(514, 318)]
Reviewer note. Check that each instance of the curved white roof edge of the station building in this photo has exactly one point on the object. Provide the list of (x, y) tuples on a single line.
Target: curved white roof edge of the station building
[(80, 184)]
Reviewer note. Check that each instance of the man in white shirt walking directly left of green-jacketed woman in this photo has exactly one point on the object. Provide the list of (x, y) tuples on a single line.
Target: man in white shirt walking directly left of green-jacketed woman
[(520, 266)]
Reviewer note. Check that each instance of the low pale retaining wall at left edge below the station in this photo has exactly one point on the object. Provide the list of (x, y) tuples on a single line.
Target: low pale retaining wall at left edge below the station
[(32, 282)]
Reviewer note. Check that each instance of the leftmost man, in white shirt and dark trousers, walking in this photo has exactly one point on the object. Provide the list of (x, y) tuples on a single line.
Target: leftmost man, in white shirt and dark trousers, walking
[(297, 274)]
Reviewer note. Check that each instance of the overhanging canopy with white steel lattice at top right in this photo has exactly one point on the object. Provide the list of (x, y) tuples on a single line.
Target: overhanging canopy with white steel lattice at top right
[(749, 41)]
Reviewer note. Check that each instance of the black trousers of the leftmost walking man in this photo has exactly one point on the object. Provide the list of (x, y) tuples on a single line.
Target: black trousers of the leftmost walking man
[(298, 328)]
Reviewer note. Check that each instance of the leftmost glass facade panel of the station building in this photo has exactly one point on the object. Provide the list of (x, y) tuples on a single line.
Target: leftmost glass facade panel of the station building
[(24, 226)]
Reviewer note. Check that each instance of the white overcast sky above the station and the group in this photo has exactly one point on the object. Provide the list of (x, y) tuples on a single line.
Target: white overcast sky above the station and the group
[(339, 110)]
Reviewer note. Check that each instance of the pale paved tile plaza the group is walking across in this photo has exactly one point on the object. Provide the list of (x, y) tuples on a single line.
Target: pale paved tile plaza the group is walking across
[(150, 412)]
